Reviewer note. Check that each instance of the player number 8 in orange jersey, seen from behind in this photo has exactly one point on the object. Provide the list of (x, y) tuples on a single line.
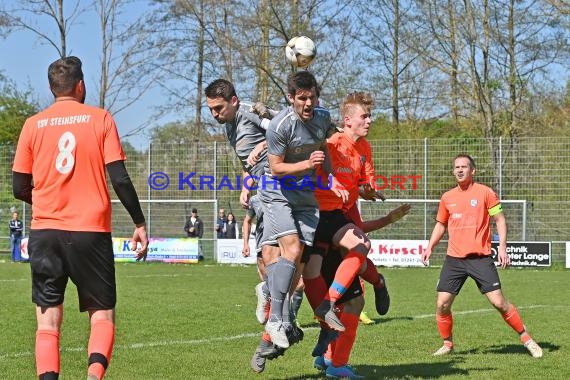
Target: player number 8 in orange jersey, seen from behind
[(64, 151)]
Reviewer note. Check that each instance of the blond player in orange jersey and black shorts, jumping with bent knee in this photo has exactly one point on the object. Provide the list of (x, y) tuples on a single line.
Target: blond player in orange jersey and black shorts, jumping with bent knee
[(350, 155)]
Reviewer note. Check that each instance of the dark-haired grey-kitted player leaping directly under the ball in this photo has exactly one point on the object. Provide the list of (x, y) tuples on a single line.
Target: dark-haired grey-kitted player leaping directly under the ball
[(296, 143)]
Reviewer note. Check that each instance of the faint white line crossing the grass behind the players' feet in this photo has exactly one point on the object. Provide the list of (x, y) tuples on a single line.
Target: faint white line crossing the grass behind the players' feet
[(190, 342)]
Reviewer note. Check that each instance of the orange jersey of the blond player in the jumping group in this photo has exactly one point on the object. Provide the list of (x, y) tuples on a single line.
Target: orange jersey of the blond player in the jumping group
[(352, 165)]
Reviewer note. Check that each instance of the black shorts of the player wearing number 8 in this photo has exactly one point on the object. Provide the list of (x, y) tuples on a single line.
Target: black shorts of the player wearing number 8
[(84, 257)]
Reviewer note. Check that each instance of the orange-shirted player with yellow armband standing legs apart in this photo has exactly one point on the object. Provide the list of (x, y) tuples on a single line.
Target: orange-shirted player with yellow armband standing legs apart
[(465, 212)]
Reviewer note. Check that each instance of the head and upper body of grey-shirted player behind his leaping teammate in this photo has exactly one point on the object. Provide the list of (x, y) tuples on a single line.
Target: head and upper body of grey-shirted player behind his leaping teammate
[(244, 129)]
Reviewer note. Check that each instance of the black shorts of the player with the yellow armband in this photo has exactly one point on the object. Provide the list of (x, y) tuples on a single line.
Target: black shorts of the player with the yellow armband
[(480, 268)]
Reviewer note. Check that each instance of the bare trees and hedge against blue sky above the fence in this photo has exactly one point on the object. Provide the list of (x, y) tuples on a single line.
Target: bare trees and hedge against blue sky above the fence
[(437, 68)]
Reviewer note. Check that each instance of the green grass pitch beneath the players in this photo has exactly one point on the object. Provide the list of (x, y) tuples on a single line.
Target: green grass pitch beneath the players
[(198, 322)]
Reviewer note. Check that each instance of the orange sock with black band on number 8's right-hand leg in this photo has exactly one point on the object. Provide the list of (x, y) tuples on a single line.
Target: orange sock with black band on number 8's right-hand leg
[(100, 347)]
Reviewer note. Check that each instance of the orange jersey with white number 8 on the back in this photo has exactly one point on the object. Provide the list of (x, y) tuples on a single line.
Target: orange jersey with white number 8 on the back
[(66, 148)]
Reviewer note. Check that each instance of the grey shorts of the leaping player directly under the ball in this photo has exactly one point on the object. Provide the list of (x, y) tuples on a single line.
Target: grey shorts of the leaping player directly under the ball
[(288, 212)]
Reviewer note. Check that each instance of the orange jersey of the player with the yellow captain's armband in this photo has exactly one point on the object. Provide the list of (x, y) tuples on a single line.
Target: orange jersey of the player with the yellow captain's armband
[(466, 214)]
